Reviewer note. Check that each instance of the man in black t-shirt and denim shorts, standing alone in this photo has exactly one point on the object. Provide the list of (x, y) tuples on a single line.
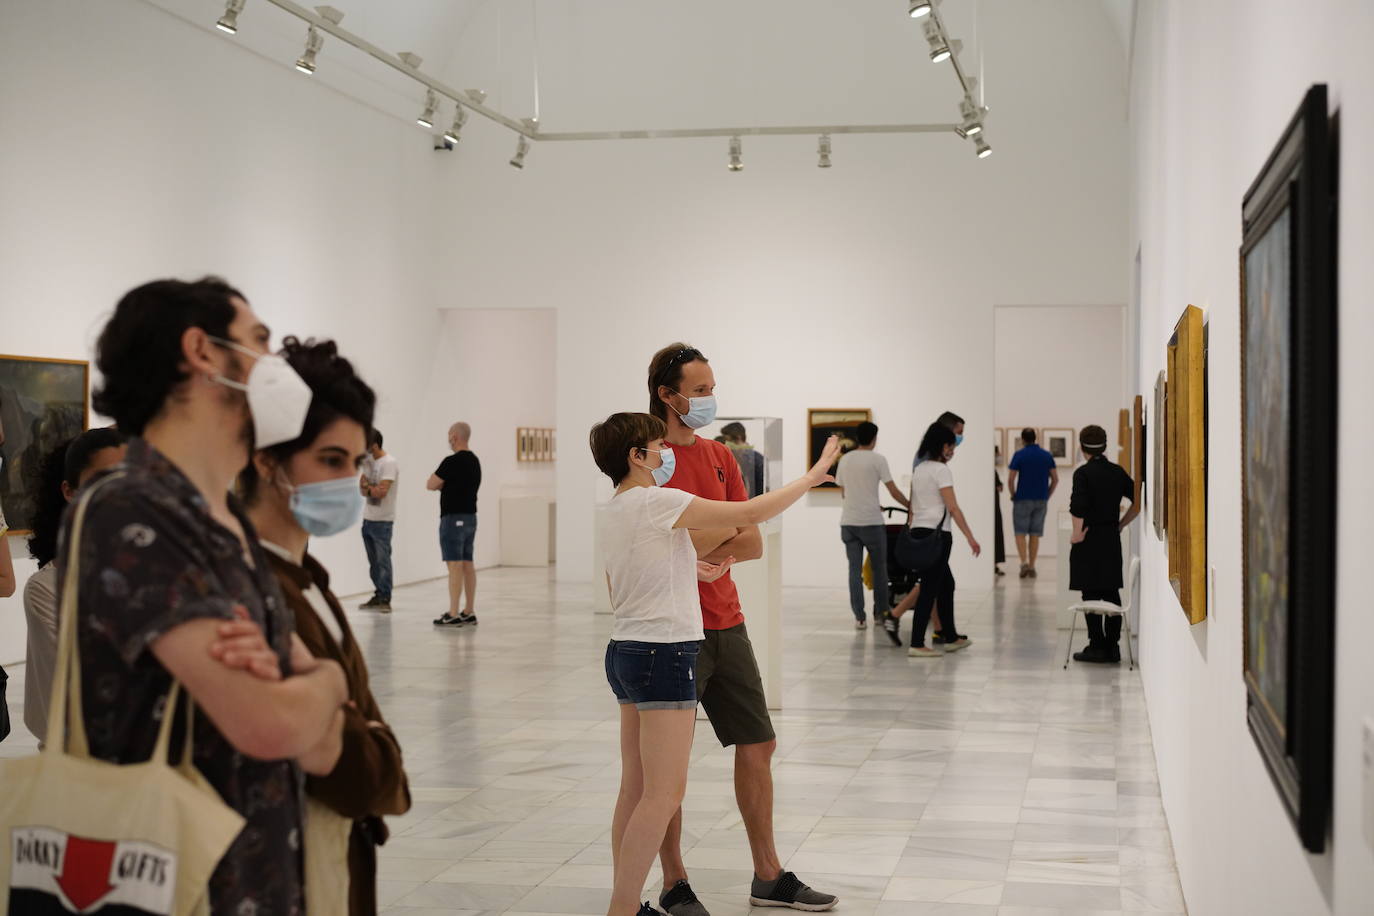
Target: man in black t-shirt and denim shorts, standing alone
[(457, 481)]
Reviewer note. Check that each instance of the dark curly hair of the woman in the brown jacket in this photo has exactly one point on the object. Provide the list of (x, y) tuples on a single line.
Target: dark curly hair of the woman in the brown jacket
[(336, 392)]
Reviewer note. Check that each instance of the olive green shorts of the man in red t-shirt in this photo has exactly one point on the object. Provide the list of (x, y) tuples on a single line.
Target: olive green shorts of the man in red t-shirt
[(730, 689)]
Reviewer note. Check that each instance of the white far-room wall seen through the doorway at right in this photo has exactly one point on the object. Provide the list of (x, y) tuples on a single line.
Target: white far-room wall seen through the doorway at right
[(1056, 367)]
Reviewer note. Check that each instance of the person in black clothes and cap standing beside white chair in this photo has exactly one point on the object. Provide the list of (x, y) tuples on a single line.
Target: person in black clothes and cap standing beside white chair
[(1096, 557)]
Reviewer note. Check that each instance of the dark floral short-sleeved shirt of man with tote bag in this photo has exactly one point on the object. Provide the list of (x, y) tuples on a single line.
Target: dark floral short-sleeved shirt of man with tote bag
[(152, 558)]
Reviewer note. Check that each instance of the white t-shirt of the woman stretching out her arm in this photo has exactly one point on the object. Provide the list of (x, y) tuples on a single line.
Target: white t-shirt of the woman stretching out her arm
[(652, 568)]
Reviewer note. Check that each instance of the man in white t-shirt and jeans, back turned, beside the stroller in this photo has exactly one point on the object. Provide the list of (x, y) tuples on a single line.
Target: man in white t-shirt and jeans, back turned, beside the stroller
[(862, 525)]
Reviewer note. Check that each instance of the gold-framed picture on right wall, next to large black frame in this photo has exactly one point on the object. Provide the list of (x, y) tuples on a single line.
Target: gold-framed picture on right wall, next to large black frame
[(1188, 463)]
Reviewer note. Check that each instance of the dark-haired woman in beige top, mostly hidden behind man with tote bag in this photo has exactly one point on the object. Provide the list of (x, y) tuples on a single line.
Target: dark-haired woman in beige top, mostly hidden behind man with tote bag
[(63, 473)]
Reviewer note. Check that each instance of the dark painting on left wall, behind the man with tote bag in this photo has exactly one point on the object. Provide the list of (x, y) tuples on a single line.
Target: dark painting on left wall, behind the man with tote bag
[(43, 404)]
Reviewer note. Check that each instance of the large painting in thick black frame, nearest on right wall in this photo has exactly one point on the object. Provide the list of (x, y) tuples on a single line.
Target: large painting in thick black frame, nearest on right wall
[(1288, 442)]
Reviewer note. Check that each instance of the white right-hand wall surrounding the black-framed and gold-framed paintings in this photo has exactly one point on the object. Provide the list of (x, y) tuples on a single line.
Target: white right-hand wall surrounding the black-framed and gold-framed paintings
[(1214, 87)]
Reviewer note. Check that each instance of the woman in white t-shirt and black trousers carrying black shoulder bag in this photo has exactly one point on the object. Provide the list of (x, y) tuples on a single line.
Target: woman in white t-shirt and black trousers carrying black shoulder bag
[(934, 507)]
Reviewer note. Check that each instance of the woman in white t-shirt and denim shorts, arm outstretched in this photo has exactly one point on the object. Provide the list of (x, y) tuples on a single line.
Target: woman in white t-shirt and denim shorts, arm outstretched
[(652, 571)]
